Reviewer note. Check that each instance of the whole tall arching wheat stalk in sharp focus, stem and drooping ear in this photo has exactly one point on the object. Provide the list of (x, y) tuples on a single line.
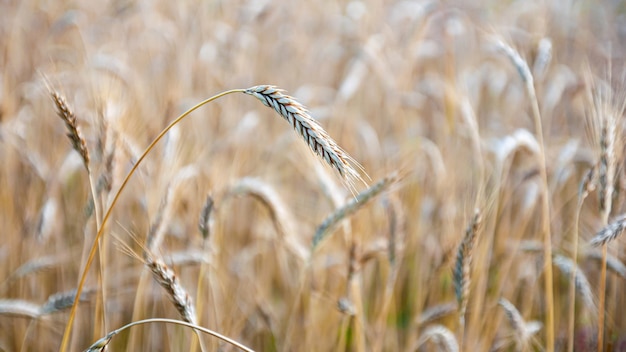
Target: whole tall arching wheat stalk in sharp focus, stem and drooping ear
[(315, 136)]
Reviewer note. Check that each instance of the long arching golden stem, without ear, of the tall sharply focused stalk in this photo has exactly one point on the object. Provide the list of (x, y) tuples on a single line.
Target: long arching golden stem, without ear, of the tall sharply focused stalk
[(92, 253)]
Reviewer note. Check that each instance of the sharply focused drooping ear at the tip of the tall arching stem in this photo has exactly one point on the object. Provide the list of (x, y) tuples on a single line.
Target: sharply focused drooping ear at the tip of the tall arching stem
[(311, 131)]
